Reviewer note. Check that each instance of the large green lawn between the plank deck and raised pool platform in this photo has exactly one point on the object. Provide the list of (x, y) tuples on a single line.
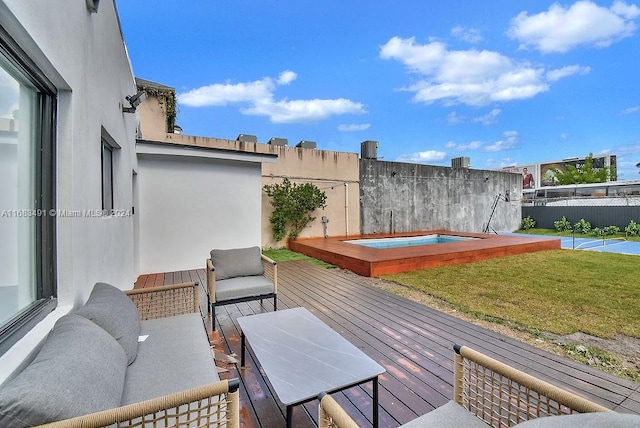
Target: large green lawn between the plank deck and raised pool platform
[(559, 291)]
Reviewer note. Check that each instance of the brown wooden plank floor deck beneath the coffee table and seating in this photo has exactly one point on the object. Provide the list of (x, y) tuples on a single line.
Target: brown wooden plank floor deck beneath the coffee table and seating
[(412, 341)]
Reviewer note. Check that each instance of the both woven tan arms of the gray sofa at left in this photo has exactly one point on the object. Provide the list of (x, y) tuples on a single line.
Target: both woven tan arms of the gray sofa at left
[(211, 405)]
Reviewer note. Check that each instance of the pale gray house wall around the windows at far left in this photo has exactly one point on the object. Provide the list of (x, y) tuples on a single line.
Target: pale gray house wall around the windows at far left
[(83, 54)]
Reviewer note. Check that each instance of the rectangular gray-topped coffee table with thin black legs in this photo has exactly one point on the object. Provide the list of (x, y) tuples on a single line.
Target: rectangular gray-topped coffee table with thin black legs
[(302, 357)]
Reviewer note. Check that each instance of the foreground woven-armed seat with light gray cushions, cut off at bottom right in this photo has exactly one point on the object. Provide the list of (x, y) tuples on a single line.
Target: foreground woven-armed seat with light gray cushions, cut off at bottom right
[(488, 392)]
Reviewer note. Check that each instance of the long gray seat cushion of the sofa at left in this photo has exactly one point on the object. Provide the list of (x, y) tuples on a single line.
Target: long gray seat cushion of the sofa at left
[(176, 356)]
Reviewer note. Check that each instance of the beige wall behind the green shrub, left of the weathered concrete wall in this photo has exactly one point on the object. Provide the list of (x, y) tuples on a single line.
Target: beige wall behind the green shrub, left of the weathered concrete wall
[(335, 173)]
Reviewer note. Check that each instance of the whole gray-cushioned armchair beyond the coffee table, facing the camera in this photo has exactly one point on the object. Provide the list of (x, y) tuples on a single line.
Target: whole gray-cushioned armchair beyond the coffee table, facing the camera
[(240, 275)]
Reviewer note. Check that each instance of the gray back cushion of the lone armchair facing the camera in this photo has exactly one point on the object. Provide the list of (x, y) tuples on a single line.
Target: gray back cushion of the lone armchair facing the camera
[(237, 262)]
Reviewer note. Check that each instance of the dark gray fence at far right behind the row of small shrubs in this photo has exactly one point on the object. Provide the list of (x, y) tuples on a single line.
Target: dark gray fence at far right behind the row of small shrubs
[(597, 216)]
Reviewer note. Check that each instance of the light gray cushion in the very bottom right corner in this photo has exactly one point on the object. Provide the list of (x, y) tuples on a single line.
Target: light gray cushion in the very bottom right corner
[(585, 420)]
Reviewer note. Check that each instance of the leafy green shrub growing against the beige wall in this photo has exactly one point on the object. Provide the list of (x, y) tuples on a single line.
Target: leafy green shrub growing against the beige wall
[(293, 205)]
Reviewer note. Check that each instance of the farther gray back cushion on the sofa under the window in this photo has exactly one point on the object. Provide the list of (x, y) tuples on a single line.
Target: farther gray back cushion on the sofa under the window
[(114, 311)]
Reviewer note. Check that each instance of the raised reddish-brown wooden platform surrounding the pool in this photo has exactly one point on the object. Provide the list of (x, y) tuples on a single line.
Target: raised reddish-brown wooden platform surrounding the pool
[(374, 262)]
